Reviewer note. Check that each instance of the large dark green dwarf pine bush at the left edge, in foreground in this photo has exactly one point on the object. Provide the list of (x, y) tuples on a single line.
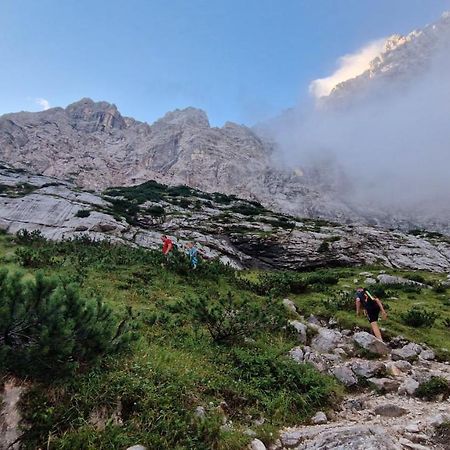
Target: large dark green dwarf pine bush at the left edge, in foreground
[(48, 329)]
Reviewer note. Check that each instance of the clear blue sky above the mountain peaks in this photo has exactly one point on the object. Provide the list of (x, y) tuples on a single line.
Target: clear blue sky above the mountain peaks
[(240, 60)]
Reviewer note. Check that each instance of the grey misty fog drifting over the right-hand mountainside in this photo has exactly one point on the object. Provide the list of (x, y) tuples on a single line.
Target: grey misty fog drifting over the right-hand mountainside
[(392, 142)]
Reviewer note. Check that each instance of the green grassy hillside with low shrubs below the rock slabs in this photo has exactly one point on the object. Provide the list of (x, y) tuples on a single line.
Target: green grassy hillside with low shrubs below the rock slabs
[(211, 338)]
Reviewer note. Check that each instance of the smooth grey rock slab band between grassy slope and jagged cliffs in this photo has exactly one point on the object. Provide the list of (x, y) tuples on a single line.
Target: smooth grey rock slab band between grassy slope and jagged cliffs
[(237, 231)]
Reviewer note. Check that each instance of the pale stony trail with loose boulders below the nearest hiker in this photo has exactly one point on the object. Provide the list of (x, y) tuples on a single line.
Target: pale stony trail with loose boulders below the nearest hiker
[(381, 410)]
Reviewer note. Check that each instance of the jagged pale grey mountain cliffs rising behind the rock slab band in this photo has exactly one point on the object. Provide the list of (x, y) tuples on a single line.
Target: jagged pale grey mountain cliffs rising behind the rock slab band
[(92, 145)]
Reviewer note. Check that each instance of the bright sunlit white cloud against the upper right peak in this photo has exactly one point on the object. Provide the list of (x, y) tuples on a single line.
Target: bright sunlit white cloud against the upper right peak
[(350, 66)]
